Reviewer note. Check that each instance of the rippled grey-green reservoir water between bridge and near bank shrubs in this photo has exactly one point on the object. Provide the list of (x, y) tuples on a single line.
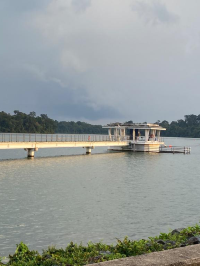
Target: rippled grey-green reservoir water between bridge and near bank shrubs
[(63, 195)]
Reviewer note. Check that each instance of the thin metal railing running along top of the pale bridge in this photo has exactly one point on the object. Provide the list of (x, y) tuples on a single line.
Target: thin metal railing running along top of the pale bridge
[(20, 137)]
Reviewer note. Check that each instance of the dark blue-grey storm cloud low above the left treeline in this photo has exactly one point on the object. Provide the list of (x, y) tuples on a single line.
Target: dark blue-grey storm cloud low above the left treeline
[(28, 93)]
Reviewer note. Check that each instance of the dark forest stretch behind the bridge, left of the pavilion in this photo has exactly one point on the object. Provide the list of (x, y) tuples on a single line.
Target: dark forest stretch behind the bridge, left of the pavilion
[(30, 123)]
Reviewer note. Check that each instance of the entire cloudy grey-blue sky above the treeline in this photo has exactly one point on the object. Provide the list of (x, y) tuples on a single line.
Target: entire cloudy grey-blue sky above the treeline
[(100, 61)]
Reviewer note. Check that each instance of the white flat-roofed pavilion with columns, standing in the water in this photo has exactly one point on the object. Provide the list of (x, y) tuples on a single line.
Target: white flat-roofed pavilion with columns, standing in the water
[(142, 137)]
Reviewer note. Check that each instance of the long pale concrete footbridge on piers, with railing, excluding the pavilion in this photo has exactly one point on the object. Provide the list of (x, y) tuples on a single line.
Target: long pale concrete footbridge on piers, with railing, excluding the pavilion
[(33, 142)]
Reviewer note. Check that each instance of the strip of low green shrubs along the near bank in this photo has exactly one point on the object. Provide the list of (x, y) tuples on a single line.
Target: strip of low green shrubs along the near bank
[(77, 255)]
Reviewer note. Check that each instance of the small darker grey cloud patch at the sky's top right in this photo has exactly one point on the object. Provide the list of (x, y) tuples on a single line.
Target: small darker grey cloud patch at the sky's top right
[(154, 12)]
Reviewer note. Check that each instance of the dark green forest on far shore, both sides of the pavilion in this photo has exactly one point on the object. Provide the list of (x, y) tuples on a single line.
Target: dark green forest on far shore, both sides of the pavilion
[(30, 123)]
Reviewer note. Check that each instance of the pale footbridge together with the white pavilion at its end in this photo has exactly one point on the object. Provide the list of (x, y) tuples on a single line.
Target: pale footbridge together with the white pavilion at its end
[(130, 137)]
